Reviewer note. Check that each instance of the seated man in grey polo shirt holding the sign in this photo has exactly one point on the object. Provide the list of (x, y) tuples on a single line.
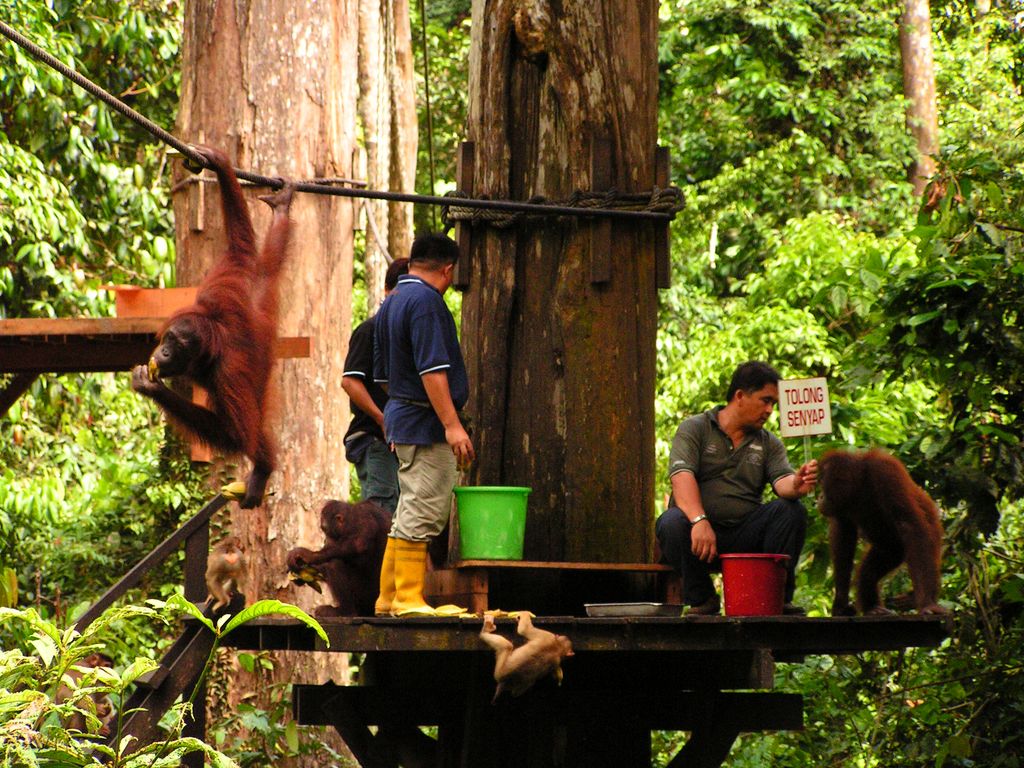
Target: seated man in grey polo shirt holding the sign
[(719, 465)]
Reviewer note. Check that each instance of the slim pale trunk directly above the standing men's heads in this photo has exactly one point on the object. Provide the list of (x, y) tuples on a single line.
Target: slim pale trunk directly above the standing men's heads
[(388, 111)]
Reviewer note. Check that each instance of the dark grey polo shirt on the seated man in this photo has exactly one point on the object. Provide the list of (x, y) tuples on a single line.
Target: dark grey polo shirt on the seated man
[(732, 480)]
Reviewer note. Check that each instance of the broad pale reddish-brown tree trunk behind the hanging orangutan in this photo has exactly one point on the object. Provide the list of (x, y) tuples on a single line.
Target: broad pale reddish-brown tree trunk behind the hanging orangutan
[(274, 86)]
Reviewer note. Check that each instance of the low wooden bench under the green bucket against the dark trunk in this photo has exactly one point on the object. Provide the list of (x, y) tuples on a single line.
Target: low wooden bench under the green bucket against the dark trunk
[(550, 588)]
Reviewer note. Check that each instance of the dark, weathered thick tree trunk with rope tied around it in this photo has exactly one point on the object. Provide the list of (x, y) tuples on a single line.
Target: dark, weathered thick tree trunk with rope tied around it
[(563, 369)]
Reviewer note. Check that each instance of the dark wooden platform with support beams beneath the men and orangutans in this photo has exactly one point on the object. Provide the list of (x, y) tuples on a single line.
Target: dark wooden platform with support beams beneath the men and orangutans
[(708, 675)]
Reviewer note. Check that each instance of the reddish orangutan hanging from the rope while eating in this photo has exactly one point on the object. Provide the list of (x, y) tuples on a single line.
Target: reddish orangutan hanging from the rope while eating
[(225, 342)]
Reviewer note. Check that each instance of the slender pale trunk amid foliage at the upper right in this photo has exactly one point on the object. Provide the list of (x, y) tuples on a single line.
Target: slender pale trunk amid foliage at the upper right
[(919, 89)]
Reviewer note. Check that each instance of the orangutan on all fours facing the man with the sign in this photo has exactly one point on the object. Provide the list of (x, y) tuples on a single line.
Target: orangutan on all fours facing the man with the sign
[(873, 495)]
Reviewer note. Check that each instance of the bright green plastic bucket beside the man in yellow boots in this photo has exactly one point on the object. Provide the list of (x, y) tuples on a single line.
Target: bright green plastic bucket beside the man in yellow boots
[(492, 522)]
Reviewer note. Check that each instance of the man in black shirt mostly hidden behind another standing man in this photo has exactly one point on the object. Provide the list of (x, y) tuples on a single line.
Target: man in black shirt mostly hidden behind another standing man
[(376, 464)]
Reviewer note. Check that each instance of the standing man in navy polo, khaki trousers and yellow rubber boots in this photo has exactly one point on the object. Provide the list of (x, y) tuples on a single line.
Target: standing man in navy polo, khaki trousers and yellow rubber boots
[(417, 355)]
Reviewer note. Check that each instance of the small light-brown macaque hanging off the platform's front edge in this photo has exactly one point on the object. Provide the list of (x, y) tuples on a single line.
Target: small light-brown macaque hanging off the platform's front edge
[(517, 669)]
